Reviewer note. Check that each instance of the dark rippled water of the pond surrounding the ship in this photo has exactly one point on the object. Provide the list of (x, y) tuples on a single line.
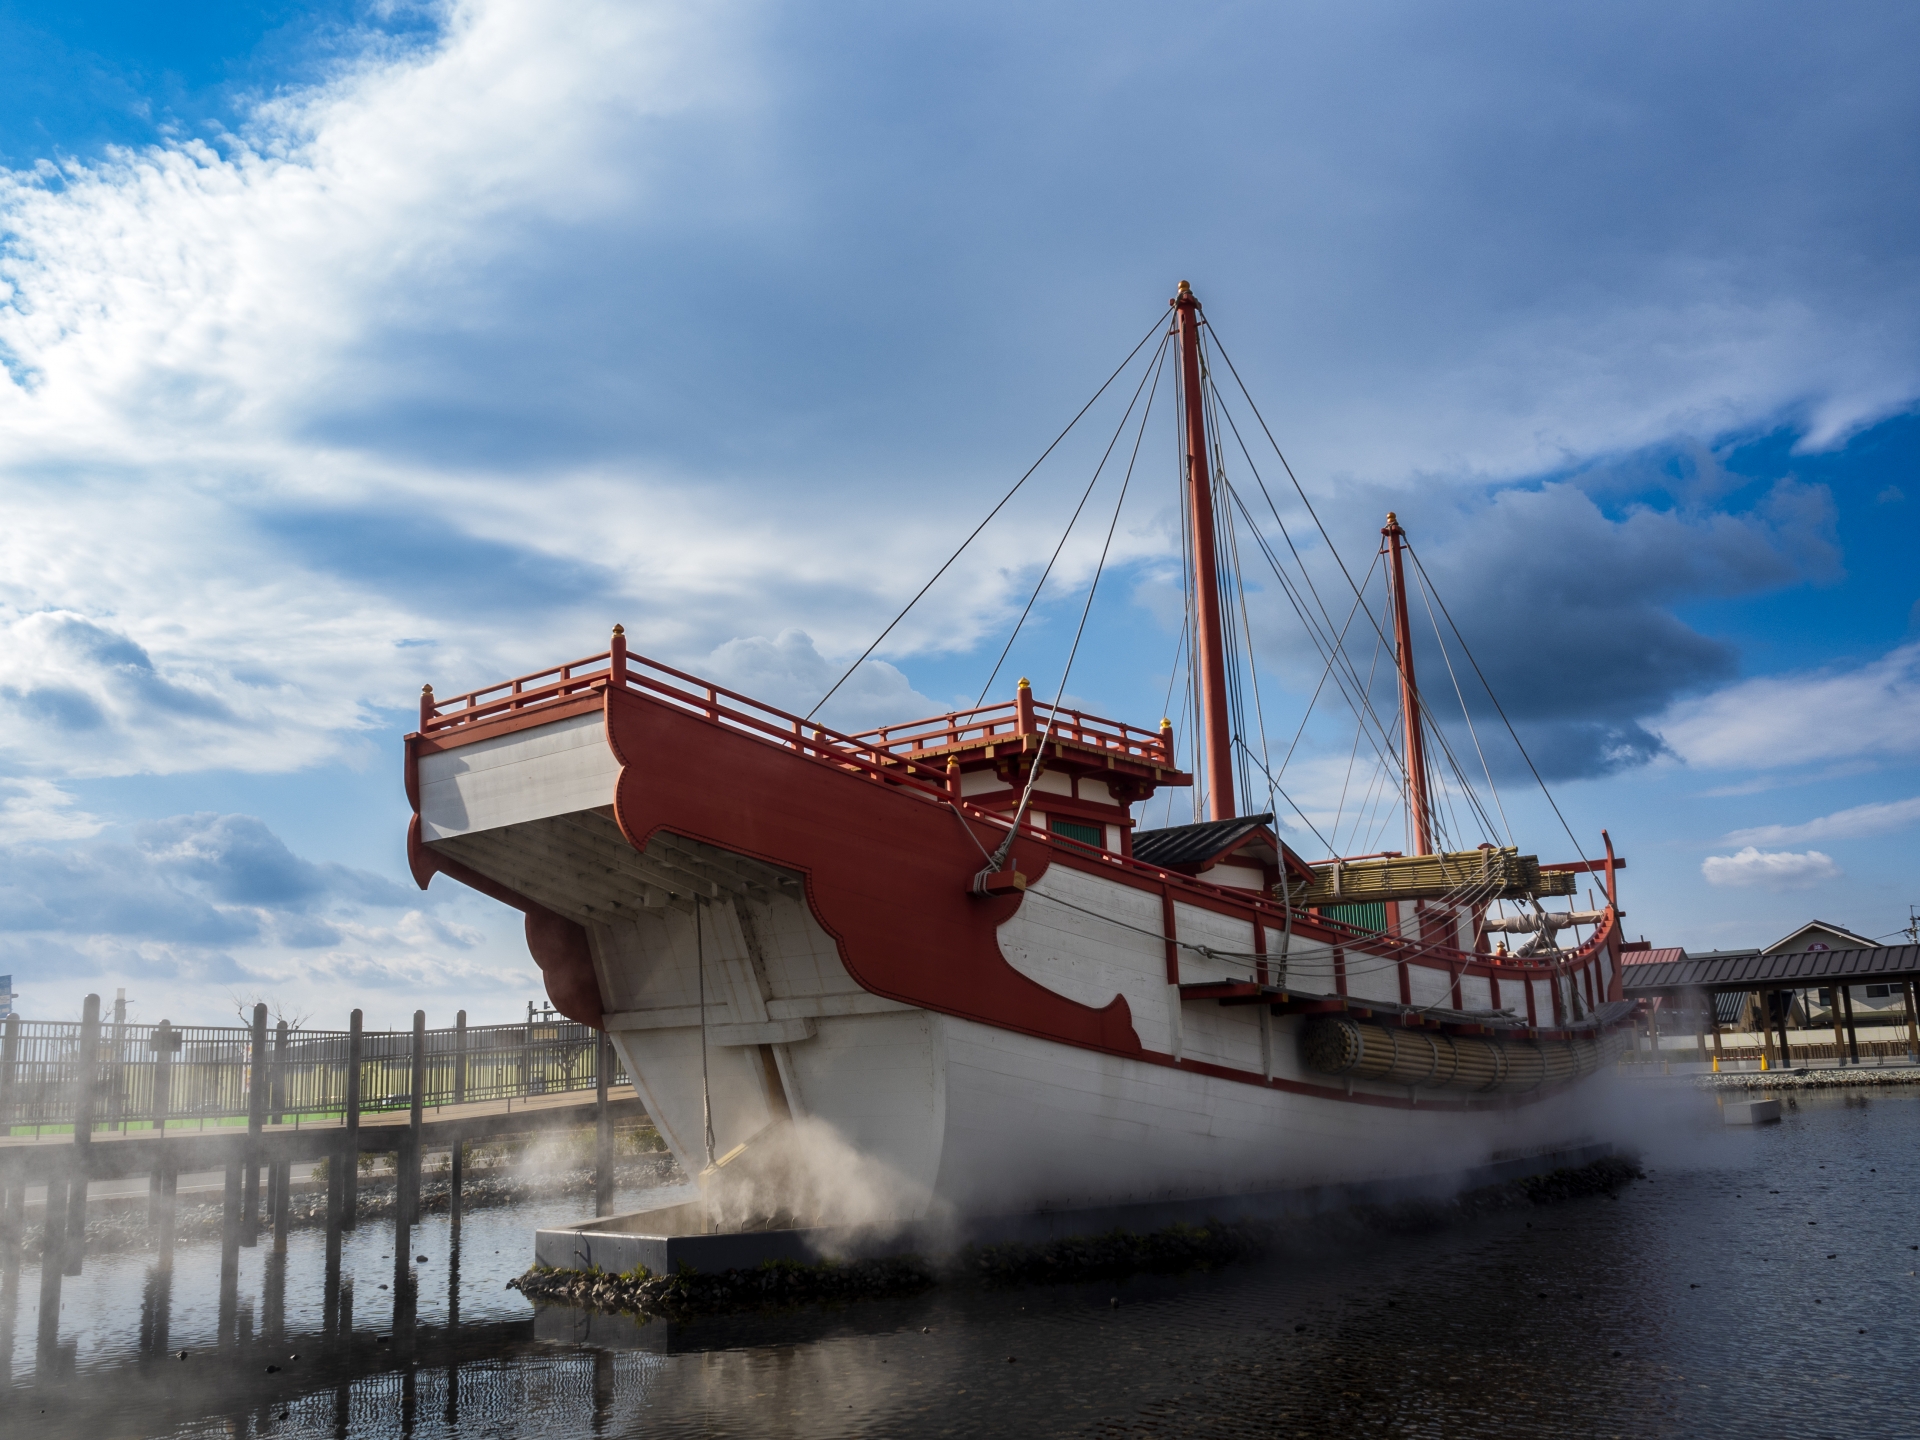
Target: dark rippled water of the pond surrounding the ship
[(1758, 1284)]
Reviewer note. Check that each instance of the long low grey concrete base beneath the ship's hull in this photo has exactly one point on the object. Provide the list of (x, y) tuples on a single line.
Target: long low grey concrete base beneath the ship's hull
[(663, 1241)]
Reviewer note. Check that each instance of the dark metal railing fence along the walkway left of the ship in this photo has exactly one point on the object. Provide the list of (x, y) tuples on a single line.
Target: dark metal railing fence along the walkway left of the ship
[(206, 1074)]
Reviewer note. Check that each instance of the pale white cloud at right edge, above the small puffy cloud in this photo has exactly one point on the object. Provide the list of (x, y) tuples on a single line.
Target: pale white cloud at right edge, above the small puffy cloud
[(1773, 723)]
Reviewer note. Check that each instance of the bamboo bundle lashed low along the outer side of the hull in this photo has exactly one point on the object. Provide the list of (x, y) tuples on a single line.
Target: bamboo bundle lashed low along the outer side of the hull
[(1424, 1059)]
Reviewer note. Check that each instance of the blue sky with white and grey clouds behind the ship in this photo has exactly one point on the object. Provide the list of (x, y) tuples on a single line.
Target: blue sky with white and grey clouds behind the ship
[(348, 348)]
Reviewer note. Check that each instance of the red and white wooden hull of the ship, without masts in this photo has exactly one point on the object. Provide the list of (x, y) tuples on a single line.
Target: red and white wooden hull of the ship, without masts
[(784, 926)]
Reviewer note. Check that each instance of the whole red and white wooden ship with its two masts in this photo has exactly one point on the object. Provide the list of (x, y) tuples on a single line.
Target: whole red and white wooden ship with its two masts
[(949, 955)]
